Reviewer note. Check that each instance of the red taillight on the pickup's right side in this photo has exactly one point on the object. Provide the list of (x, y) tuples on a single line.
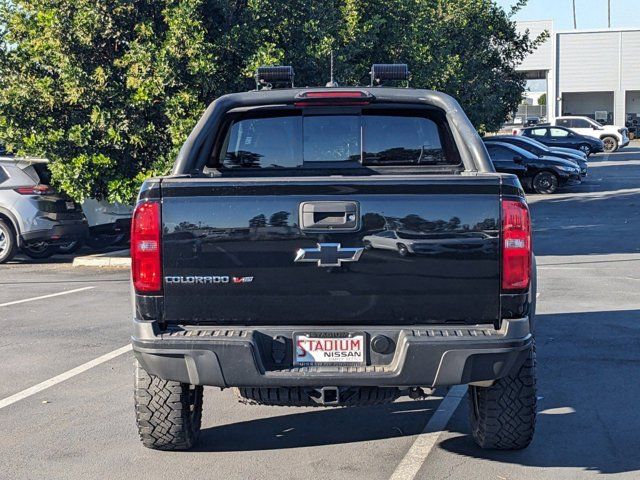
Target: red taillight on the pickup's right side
[(516, 245)]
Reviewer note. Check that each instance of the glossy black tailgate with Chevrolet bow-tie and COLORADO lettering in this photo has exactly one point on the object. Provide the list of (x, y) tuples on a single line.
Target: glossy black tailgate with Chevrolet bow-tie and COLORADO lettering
[(332, 250)]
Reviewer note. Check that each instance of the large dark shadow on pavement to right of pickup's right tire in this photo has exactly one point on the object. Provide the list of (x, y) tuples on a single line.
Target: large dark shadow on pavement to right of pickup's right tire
[(586, 419)]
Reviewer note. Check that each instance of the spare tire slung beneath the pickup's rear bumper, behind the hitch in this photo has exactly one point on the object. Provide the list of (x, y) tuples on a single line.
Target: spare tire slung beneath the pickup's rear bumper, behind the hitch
[(298, 397)]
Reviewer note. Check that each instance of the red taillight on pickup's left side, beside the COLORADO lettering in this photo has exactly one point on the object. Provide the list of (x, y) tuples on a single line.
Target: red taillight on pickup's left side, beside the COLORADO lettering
[(146, 261)]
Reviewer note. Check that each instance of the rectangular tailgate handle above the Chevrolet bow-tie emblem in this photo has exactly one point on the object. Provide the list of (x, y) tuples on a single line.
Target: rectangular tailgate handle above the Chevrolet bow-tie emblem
[(332, 215)]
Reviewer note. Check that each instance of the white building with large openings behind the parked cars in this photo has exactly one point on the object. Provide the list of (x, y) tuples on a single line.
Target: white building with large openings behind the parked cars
[(588, 72)]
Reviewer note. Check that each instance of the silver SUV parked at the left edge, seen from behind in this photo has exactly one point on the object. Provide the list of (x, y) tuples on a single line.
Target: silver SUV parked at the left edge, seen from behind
[(33, 217)]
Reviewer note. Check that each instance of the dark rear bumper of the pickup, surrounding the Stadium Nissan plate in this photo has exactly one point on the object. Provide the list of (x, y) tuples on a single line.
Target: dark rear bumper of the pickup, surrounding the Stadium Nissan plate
[(243, 357)]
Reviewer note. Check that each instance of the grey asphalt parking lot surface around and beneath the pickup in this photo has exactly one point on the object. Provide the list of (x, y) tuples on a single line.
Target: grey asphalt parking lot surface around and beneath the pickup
[(55, 318)]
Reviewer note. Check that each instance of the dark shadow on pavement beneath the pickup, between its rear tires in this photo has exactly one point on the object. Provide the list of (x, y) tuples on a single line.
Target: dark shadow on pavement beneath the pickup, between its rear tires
[(324, 426)]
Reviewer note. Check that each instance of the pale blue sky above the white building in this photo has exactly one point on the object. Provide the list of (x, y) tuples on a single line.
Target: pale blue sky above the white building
[(590, 13)]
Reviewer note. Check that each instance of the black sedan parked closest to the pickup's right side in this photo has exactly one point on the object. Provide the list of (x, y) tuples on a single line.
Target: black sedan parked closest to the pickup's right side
[(540, 174)]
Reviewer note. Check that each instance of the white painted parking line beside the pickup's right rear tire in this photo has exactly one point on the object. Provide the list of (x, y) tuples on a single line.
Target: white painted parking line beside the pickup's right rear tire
[(410, 464)]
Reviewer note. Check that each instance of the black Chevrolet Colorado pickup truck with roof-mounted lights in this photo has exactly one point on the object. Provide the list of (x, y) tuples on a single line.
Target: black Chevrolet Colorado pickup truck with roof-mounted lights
[(338, 247)]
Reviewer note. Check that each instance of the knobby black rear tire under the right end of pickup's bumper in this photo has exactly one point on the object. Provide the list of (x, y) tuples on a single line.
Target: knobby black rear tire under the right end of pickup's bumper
[(503, 416)]
